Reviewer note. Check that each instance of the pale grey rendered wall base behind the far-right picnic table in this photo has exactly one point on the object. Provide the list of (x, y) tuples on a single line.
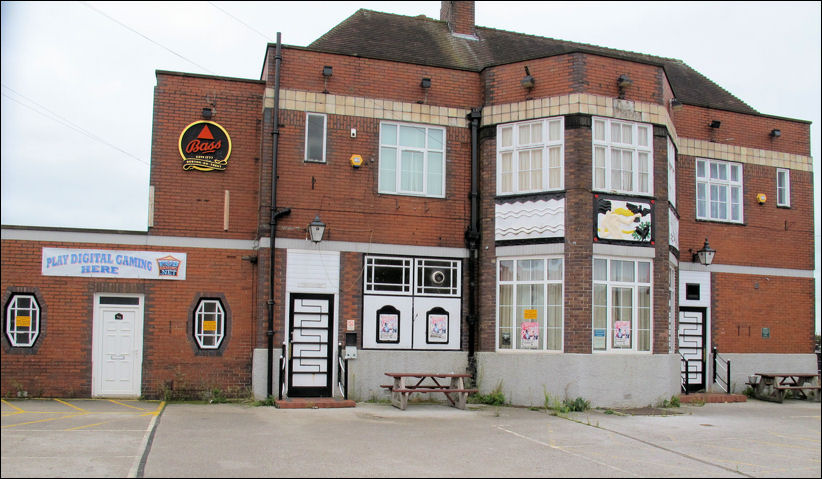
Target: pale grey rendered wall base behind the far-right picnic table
[(744, 365)]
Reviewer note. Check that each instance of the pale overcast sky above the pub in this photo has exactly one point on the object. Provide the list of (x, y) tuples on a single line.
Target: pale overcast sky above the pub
[(78, 77)]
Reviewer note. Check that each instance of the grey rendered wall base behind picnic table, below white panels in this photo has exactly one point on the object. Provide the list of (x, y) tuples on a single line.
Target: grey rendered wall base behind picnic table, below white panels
[(367, 372)]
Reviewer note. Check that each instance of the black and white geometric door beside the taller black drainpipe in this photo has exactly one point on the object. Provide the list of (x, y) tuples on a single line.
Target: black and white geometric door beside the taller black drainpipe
[(311, 321)]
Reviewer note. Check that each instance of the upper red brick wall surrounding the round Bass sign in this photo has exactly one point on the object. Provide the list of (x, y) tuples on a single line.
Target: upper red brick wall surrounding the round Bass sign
[(191, 203)]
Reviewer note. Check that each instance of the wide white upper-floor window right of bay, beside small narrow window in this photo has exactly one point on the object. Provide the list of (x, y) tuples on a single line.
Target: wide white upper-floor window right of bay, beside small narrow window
[(718, 190)]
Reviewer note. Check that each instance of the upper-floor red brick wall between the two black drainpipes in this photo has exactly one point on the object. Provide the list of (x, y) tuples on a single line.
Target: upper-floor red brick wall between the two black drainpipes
[(346, 198)]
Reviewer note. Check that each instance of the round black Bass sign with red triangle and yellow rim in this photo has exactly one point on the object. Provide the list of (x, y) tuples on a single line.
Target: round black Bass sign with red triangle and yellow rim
[(204, 146)]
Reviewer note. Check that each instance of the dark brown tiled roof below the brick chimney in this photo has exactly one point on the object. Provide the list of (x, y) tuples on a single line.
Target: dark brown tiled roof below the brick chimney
[(425, 41)]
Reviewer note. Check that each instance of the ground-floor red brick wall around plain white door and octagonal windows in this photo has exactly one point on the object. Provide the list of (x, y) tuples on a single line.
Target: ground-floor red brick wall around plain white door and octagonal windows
[(62, 364)]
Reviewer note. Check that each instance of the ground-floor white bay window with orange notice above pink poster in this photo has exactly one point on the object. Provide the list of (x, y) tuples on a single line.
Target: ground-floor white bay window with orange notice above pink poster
[(530, 304)]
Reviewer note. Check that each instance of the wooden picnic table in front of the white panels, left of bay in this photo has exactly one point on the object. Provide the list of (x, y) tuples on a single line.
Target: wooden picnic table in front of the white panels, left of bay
[(406, 384)]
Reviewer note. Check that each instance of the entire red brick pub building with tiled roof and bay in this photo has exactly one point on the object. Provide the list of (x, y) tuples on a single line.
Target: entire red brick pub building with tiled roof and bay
[(447, 198)]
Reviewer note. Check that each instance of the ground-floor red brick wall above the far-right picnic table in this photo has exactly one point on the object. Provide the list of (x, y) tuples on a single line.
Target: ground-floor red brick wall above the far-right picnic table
[(744, 304)]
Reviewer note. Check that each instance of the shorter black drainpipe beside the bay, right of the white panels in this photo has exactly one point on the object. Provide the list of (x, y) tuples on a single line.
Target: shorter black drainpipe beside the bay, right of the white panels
[(472, 239)]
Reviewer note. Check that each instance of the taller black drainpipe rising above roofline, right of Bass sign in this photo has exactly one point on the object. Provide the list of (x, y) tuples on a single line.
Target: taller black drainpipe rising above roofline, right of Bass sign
[(274, 215)]
